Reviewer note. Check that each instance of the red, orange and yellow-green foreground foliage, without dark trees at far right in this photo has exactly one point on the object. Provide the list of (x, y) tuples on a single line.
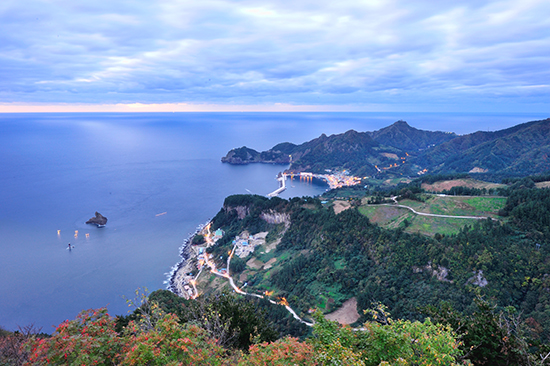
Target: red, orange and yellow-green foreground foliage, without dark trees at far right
[(156, 337)]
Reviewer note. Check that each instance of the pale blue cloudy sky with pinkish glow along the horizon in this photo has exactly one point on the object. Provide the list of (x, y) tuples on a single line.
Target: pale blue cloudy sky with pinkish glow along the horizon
[(269, 55)]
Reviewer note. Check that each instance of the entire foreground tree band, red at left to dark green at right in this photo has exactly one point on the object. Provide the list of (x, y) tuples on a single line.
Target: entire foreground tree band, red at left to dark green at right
[(157, 336)]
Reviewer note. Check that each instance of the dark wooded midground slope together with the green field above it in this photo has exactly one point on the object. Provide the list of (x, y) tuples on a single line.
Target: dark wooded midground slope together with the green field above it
[(409, 261)]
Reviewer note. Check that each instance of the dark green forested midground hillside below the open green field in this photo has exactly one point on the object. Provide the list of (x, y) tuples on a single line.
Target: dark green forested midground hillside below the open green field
[(324, 258)]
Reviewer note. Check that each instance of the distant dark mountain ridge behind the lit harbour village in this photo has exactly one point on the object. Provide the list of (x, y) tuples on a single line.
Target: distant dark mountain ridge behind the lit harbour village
[(404, 150)]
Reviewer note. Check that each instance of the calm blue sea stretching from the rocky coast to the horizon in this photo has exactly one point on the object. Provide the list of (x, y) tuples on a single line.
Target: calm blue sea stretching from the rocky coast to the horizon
[(156, 177)]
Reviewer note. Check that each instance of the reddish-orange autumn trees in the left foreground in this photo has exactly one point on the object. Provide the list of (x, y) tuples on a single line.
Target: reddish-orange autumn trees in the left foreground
[(91, 339)]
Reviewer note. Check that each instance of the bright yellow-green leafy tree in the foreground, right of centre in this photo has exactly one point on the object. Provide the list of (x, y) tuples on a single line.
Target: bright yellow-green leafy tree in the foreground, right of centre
[(399, 342)]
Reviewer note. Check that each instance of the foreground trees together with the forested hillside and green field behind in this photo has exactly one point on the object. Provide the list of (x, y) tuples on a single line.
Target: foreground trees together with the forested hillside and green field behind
[(462, 292)]
